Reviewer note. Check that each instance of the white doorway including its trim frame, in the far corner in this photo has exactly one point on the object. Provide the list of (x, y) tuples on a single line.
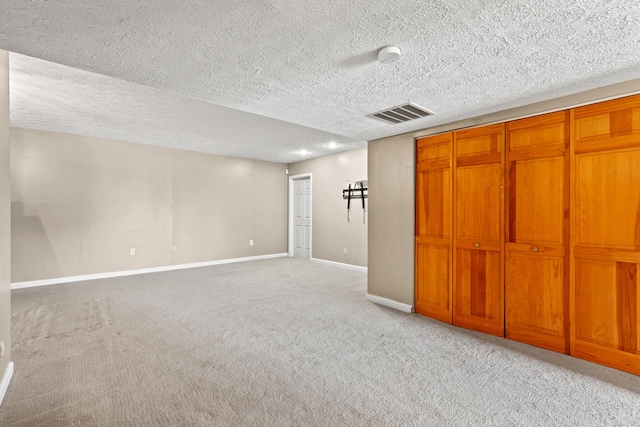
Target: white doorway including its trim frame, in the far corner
[(300, 216)]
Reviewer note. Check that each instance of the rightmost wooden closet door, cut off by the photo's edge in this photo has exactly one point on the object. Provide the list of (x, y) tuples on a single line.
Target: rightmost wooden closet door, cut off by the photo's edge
[(606, 228)]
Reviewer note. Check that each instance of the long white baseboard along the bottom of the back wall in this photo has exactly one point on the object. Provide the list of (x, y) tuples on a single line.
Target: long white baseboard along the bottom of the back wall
[(69, 279)]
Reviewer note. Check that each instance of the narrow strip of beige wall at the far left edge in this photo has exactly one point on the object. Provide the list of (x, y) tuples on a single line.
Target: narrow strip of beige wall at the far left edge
[(5, 223)]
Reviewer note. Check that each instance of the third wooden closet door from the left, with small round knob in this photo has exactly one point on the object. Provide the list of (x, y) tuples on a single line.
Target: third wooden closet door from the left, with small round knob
[(537, 236)]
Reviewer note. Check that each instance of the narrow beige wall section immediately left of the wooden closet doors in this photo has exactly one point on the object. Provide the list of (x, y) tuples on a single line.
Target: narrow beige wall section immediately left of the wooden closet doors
[(391, 218)]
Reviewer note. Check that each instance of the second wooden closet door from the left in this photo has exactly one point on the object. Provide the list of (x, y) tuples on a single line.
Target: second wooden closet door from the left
[(479, 229)]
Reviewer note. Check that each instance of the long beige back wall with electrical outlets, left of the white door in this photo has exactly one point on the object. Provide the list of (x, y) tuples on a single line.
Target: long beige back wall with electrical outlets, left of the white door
[(79, 204)]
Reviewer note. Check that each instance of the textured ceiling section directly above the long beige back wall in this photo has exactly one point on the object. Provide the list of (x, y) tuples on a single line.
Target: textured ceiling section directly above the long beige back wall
[(53, 97)]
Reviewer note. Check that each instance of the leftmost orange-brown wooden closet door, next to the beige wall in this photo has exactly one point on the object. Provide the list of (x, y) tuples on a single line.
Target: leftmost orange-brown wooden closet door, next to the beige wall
[(433, 227)]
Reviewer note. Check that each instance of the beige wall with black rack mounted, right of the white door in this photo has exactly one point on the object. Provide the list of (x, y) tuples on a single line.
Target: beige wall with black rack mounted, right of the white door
[(331, 232)]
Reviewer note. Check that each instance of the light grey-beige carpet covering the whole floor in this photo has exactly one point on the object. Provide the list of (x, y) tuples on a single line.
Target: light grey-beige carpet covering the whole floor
[(281, 342)]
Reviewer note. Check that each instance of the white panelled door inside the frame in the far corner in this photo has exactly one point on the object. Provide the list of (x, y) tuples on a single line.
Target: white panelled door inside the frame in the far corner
[(302, 218)]
